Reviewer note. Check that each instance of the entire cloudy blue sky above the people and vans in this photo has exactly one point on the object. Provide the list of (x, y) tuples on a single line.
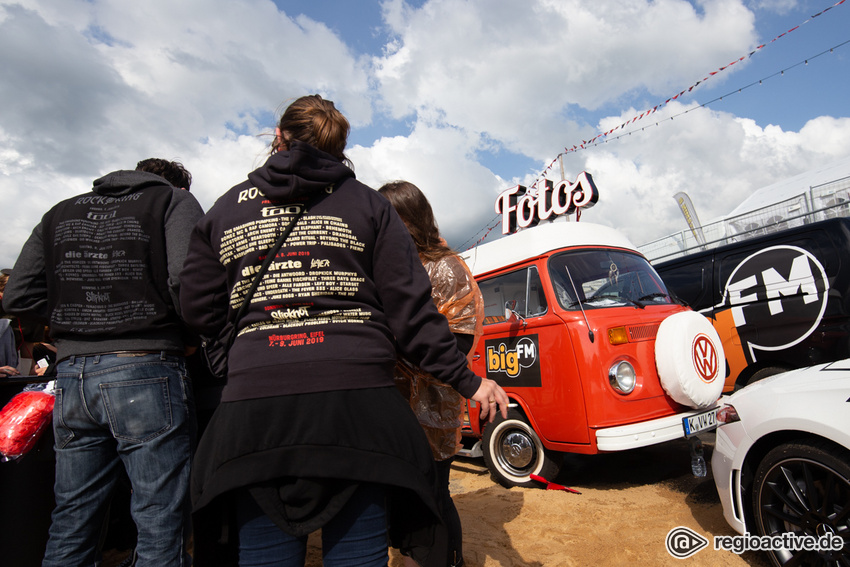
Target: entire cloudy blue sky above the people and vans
[(465, 98)]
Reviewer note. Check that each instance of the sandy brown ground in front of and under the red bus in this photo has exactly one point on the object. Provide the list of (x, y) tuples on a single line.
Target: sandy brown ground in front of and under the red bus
[(628, 503)]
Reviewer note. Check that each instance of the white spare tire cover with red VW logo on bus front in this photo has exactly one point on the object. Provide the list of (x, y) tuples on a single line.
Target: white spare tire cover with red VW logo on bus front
[(690, 360)]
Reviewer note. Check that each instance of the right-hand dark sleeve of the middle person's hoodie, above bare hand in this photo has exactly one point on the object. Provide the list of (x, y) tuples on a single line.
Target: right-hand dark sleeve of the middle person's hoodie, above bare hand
[(422, 333)]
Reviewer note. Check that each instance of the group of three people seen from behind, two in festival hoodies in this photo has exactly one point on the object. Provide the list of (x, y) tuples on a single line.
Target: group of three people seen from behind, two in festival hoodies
[(347, 321)]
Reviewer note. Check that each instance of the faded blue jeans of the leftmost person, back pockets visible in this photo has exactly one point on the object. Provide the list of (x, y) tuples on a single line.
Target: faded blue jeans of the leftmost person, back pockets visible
[(114, 410)]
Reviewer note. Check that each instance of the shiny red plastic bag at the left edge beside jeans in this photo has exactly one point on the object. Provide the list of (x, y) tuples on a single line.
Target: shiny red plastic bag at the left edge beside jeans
[(22, 421)]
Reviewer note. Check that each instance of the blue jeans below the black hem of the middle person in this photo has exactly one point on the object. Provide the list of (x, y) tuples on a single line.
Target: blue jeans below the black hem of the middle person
[(355, 537)]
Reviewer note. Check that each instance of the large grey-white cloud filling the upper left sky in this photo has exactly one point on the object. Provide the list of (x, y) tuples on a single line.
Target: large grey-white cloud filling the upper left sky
[(96, 86)]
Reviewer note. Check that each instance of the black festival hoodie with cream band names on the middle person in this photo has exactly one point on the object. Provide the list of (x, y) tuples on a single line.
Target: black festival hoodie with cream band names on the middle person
[(345, 290)]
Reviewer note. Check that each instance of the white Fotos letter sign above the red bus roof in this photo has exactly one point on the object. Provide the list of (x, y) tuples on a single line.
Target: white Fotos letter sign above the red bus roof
[(520, 209)]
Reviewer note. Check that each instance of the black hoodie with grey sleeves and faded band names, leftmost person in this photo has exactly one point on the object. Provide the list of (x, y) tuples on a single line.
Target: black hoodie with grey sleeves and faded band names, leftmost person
[(102, 268)]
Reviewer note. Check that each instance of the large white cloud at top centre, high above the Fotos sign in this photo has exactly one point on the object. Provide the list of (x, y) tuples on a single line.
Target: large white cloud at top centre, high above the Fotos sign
[(519, 70)]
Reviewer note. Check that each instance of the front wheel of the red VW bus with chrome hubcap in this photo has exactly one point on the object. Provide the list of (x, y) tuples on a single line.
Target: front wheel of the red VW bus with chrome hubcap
[(513, 451)]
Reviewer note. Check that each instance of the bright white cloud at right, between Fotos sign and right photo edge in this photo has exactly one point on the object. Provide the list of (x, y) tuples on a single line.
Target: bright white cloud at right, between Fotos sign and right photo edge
[(715, 157)]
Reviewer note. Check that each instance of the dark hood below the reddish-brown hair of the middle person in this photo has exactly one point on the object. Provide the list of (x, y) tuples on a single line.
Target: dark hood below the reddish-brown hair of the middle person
[(298, 173)]
